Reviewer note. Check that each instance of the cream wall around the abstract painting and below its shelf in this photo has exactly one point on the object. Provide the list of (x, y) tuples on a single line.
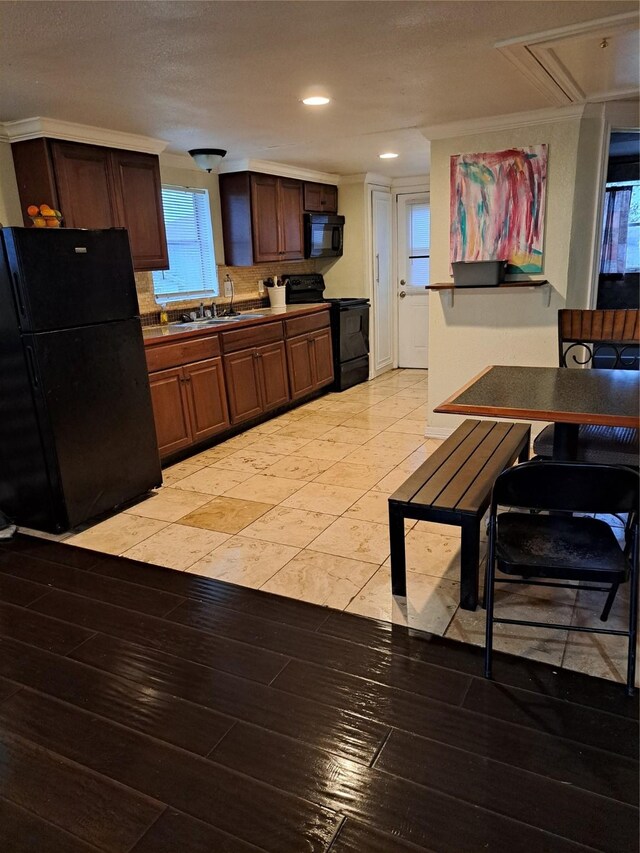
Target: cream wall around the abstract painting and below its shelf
[(512, 326)]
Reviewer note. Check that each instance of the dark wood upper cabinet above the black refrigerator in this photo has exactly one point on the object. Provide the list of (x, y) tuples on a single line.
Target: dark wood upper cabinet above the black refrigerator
[(97, 187)]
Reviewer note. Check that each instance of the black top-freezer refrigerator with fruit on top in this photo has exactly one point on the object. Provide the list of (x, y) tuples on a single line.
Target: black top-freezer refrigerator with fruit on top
[(77, 436)]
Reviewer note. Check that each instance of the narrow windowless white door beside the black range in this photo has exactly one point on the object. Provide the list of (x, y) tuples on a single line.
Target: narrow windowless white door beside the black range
[(383, 291)]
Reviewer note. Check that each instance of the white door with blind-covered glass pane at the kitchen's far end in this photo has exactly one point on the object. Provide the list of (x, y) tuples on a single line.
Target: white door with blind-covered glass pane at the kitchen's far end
[(414, 228)]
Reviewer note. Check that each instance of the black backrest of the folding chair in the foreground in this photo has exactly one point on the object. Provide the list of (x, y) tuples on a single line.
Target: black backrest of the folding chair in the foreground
[(569, 486)]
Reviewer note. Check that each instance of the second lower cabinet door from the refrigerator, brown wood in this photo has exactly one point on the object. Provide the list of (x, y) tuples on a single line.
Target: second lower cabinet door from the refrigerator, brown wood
[(207, 398)]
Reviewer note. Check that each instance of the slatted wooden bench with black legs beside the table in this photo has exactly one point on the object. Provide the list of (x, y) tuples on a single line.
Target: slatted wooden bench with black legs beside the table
[(454, 487)]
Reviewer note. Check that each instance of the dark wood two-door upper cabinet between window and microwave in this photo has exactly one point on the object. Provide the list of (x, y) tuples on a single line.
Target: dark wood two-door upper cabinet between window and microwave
[(261, 218)]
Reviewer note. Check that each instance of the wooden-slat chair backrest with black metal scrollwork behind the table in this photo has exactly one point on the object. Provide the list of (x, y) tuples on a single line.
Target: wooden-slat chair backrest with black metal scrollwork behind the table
[(599, 338)]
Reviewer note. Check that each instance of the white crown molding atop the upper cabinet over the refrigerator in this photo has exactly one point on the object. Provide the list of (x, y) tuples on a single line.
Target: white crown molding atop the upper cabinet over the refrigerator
[(38, 126)]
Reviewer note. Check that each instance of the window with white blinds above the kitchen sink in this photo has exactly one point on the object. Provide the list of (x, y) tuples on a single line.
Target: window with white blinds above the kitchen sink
[(192, 265)]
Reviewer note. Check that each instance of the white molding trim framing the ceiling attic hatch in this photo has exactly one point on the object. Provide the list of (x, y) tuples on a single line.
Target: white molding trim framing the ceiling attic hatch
[(536, 58)]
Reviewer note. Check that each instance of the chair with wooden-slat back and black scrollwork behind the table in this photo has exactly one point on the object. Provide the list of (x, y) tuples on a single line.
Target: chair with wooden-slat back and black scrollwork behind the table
[(598, 339)]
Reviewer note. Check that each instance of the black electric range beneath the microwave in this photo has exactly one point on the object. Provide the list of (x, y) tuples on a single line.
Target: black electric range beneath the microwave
[(349, 327)]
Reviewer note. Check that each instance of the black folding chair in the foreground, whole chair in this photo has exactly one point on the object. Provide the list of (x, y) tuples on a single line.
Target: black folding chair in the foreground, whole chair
[(553, 545)]
